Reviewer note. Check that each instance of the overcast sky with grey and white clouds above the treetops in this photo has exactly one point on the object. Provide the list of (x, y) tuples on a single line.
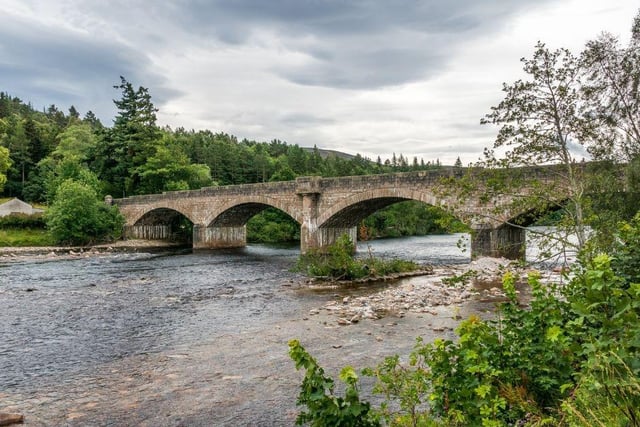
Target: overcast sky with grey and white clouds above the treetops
[(368, 76)]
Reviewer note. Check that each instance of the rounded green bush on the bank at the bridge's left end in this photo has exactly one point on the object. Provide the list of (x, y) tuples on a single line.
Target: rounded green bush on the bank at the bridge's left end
[(77, 216)]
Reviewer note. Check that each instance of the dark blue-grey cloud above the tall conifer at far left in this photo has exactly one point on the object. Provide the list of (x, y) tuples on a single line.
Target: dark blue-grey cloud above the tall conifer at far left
[(47, 65)]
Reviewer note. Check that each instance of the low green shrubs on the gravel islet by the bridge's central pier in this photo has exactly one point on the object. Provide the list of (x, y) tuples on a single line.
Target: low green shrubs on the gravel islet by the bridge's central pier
[(338, 263)]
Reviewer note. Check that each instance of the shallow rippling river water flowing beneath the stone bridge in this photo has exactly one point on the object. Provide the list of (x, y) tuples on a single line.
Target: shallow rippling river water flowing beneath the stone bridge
[(181, 338)]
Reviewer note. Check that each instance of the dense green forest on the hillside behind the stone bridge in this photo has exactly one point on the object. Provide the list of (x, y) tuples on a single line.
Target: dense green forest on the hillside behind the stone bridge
[(41, 150)]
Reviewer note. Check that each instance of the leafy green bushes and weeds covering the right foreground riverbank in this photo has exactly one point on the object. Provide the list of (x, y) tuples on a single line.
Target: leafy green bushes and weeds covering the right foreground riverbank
[(572, 358)]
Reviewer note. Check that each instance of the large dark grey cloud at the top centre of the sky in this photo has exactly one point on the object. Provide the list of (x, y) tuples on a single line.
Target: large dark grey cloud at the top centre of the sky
[(356, 44)]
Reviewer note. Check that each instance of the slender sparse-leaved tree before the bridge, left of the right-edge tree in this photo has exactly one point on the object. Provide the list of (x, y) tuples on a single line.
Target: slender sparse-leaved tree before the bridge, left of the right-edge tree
[(541, 123)]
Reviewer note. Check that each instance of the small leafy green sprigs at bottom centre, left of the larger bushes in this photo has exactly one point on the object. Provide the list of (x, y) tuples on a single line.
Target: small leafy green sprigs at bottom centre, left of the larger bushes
[(323, 407)]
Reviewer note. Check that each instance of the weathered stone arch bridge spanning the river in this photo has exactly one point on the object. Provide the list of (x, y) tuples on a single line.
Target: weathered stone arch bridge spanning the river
[(325, 208)]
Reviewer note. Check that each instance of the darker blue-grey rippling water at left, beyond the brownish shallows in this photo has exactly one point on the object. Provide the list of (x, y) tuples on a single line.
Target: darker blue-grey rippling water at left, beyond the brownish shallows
[(60, 316)]
